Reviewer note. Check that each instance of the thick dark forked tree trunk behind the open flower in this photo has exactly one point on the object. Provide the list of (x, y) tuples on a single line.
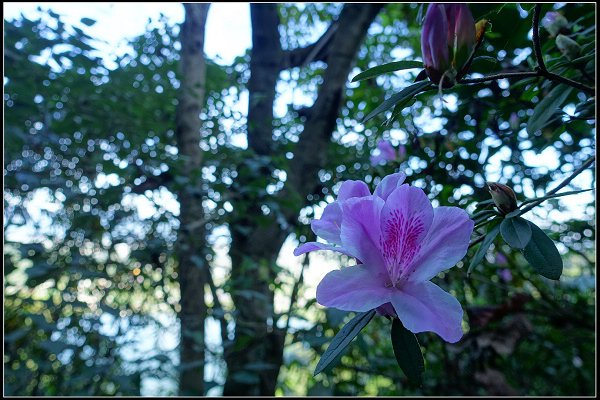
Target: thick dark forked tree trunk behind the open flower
[(255, 246)]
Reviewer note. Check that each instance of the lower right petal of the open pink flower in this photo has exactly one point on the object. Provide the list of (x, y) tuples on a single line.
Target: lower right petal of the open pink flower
[(425, 307)]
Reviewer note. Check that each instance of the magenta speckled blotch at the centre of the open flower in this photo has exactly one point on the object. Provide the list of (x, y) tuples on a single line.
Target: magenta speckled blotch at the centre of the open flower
[(399, 243)]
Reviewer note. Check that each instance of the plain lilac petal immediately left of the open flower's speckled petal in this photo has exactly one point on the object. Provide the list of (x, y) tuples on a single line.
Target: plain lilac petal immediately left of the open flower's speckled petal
[(360, 229)]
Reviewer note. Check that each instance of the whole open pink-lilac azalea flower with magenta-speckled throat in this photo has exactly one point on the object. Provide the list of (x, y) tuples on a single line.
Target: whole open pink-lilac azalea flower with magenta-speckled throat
[(401, 242)]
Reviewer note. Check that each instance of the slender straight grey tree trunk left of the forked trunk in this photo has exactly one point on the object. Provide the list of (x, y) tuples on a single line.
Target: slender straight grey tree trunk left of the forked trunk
[(191, 241)]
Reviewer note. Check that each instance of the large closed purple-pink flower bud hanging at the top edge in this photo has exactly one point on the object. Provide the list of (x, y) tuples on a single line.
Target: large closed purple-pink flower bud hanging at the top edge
[(447, 39)]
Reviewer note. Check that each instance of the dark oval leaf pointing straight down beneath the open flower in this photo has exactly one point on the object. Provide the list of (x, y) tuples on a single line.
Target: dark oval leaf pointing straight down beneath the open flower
[(407, 351)]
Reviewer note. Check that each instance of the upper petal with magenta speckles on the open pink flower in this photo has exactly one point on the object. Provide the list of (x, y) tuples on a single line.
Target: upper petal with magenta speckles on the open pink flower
[(405, 221)]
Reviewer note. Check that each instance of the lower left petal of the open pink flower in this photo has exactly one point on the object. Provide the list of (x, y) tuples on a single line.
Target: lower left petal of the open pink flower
[(357, 288)]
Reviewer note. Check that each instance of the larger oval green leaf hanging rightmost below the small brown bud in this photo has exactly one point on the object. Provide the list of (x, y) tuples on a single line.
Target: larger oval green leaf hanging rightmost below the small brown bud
[(542, 254)]
